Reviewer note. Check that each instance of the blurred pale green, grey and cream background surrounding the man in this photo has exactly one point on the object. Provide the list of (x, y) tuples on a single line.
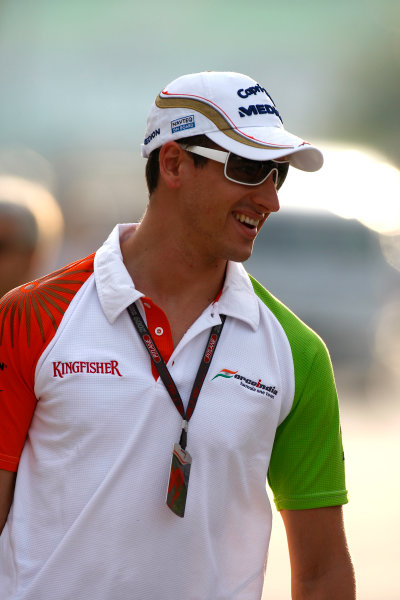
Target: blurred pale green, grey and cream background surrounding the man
[(78, 78)]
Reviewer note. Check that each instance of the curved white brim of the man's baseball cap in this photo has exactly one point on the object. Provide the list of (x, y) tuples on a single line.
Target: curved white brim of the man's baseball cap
[(269, 143)]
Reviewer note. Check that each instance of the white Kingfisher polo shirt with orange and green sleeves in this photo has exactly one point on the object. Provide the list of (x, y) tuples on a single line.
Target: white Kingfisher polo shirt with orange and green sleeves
[(89, 518)]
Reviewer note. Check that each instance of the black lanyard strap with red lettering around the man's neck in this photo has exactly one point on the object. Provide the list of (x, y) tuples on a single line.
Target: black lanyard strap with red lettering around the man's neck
[(165, 374)]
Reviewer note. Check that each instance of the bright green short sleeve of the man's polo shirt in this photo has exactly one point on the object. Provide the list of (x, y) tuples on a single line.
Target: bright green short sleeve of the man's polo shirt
[(307, 463)]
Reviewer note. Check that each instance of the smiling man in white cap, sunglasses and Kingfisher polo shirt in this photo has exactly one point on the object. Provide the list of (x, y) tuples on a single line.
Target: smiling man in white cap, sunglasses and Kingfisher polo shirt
[(84, 381)]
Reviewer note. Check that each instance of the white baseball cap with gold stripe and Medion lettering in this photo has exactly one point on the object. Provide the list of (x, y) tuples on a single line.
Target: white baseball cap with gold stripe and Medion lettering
[(231, 109)]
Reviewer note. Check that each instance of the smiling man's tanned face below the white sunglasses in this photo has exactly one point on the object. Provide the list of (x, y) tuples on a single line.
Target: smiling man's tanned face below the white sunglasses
[(223, 218)]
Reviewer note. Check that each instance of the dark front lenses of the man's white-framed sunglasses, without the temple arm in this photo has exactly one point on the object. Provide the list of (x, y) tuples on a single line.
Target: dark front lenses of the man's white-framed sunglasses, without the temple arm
[(253, 172)]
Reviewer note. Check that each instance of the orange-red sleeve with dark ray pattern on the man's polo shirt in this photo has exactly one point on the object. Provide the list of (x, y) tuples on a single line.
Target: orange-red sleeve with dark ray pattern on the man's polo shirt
[(29, 318)]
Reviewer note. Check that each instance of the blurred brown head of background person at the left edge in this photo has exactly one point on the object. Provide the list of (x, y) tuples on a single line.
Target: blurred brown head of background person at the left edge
[(18, 244)]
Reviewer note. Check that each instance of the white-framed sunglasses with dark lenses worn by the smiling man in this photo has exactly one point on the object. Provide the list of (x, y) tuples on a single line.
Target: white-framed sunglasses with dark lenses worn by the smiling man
[(243, 170)]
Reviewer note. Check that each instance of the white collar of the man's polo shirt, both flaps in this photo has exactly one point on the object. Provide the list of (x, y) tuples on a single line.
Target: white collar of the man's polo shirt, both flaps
[(116, 290)]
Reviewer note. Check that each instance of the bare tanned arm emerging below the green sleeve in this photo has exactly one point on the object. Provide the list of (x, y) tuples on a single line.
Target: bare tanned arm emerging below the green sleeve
[(318, 552)]
